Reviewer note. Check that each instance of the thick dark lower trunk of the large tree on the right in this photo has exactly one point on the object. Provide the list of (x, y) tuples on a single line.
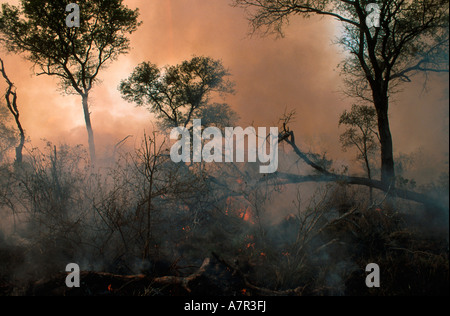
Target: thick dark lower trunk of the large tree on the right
[(387, 155)]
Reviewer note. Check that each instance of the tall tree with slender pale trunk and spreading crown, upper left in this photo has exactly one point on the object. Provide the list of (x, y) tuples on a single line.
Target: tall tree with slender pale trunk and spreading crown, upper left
[(74, 55)]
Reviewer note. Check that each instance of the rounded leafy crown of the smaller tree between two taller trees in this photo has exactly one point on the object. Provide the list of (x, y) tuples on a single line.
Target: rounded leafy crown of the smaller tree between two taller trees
[(177, 94)]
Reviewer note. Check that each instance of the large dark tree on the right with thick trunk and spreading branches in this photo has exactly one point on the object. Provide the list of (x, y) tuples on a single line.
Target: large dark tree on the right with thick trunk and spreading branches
[(412, 37)]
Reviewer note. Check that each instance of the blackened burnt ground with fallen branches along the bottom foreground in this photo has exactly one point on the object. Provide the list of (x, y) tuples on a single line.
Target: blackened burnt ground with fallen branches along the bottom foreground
[(413, 261)]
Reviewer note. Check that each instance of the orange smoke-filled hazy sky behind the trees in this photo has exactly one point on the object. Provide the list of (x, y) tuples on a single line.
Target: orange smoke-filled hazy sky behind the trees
[(296, 72)]
